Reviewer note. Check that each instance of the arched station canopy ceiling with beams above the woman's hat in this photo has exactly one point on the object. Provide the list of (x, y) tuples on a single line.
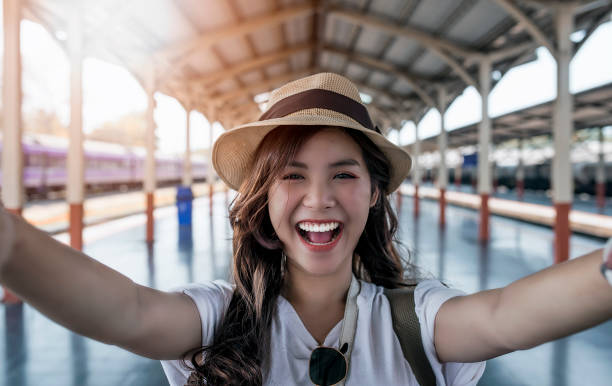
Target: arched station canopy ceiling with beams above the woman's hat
[(221, 57)]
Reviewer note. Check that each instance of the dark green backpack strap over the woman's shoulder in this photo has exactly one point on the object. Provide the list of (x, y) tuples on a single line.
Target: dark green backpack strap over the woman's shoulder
[(408, 330)]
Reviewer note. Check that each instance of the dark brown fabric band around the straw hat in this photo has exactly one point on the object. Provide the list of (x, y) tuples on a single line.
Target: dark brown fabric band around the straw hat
[(322, 99)]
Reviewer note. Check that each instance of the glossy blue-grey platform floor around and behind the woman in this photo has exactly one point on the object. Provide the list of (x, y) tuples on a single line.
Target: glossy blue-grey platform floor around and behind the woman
[(34, 350)]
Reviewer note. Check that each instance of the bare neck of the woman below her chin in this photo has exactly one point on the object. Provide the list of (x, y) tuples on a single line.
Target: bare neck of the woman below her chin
[(310, 291)]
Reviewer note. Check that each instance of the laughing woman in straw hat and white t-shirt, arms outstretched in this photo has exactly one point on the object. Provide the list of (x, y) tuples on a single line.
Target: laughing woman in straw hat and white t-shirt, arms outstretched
[(313, 249)]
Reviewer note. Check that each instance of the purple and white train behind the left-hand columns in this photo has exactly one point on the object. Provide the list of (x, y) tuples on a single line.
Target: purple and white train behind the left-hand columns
[(108, 167)]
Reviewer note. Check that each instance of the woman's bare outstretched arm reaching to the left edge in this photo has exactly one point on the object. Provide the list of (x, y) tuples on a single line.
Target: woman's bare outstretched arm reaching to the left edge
[(92, 299)]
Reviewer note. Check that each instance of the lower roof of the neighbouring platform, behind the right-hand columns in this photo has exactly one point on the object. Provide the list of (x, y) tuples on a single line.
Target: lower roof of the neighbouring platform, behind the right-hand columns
[(592, 108)]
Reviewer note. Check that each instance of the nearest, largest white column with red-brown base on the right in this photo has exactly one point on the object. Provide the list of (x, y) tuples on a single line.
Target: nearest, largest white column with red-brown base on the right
[(562, 179)]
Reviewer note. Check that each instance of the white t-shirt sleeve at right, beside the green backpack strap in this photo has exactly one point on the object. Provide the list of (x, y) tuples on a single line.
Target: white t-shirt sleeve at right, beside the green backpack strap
[(429, 295)]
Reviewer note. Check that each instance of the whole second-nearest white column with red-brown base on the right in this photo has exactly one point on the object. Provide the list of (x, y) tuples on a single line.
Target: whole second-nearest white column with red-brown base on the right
[(484, 143)]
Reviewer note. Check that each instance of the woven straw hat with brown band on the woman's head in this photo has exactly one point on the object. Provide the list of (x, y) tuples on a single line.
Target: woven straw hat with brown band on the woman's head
[(324, 99)]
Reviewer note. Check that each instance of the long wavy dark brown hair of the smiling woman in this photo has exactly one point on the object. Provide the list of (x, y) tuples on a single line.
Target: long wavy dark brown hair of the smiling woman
[(239, 352)]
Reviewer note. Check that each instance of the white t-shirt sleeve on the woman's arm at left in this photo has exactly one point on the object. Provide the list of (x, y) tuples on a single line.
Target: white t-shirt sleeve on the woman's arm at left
[(211, 300)]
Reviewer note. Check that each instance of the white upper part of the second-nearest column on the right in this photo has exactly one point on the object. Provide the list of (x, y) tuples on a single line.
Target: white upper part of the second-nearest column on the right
[(484, 130)]
